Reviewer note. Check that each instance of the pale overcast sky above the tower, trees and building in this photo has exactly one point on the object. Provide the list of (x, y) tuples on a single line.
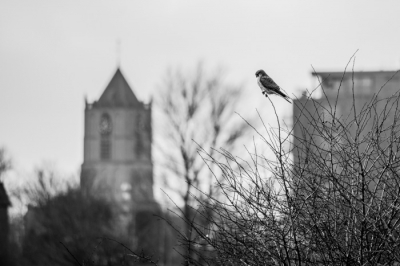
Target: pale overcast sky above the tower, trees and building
[(53, 53)]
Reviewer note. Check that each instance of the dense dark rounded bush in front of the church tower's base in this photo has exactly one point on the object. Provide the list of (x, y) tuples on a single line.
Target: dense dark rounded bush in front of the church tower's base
[(68, 228)]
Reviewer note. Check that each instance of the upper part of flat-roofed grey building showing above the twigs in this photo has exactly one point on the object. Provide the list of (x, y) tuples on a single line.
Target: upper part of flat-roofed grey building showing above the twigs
[(336, 92)]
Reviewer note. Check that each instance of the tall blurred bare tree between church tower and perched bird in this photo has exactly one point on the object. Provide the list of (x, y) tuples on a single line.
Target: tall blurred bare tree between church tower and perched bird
[(198, 110)]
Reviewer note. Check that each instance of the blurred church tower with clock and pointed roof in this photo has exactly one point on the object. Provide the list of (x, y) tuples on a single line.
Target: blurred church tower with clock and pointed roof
[(117, 148)]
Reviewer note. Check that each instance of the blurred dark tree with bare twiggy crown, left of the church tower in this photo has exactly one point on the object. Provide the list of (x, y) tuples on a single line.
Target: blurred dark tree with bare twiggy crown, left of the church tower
[(64, 226)]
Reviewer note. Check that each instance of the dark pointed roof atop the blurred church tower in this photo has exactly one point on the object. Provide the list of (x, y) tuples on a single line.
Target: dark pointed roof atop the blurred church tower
[(118, 93)]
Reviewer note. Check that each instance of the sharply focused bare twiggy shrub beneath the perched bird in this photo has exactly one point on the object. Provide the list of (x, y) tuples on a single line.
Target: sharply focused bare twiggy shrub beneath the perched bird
[(333, 198)]
